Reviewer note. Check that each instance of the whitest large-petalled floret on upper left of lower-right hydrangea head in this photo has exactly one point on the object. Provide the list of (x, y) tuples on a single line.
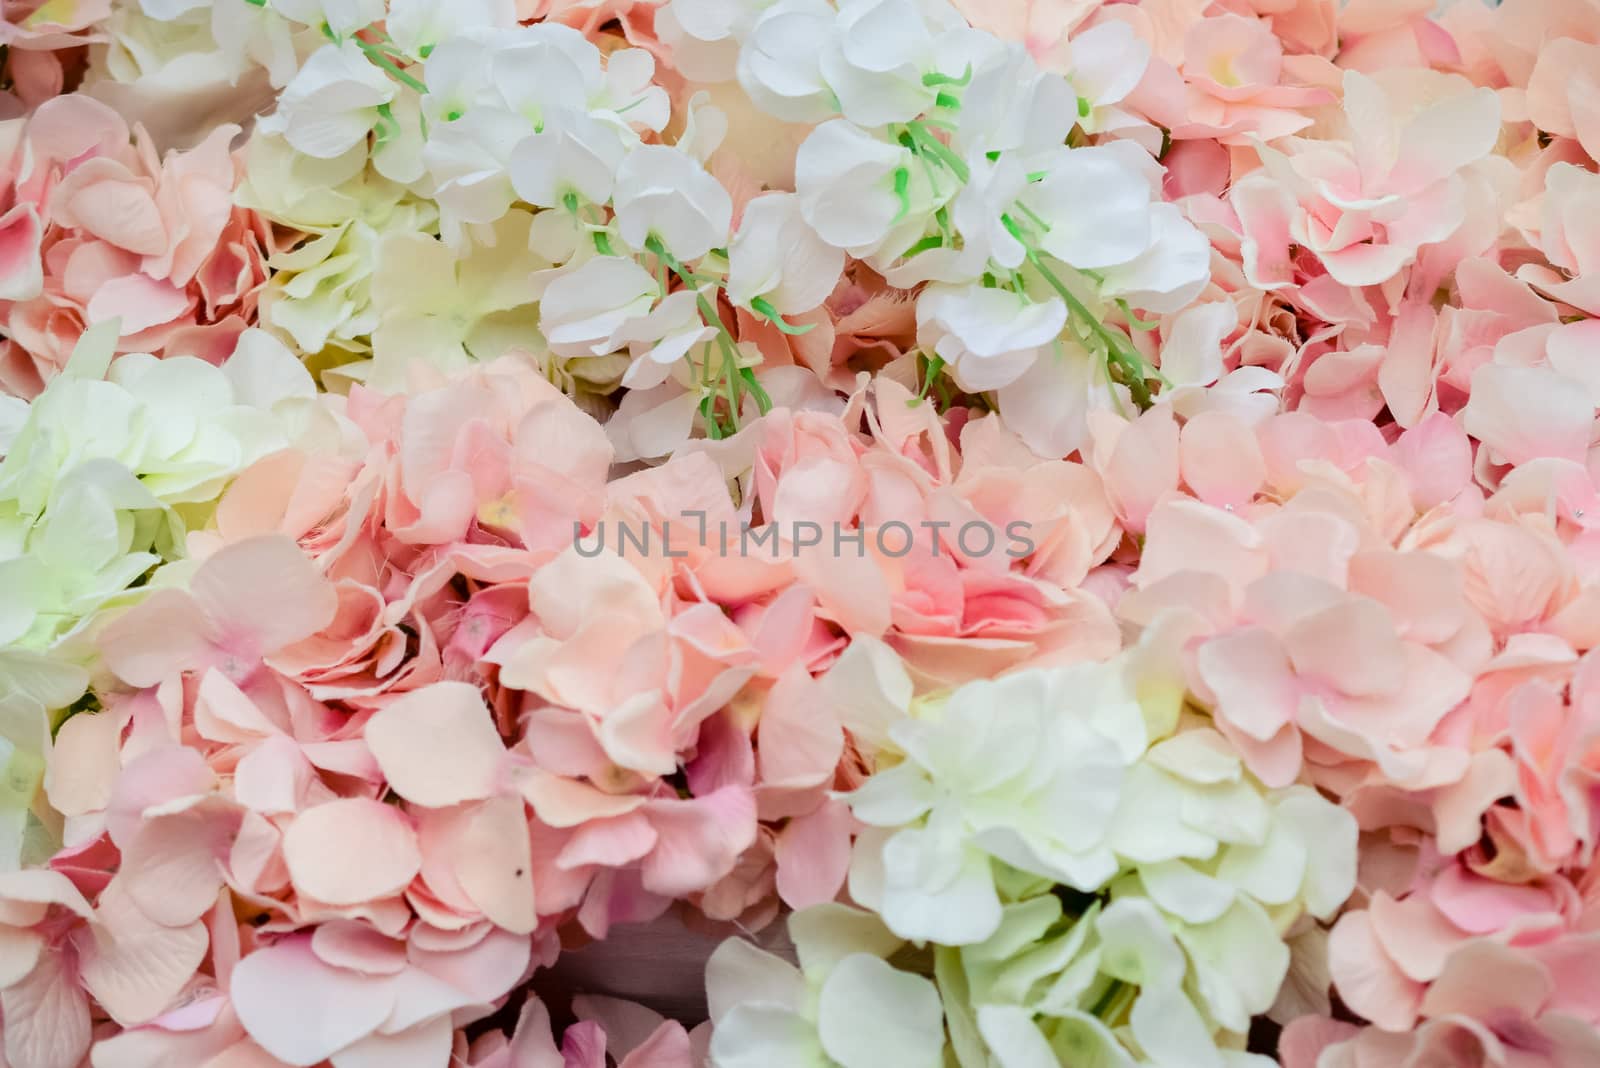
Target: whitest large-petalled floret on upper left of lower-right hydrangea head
[(1002, 771)]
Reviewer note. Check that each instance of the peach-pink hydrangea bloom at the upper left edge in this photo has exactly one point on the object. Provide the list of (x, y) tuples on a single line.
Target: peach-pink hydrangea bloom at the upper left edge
[(98, 228)]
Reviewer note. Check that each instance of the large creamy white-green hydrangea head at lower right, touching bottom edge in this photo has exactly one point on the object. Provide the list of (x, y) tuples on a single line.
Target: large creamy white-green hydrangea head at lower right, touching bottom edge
[(999, 802)]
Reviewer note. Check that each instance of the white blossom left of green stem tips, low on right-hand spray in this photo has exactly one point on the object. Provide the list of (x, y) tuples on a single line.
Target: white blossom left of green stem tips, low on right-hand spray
[(988, 338)]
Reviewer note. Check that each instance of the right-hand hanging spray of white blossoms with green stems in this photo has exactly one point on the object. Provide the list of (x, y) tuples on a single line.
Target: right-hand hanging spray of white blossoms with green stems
[(940, 154)]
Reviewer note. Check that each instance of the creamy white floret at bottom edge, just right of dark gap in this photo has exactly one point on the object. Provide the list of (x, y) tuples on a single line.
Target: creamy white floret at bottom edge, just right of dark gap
[(844, 1006)]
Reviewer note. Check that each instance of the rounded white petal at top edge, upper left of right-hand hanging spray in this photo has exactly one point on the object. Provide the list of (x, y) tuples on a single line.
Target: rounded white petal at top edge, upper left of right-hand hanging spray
[(782, 62)]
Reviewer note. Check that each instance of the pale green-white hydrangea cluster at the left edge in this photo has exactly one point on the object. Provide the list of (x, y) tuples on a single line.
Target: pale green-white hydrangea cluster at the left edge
[(89, 506)]
